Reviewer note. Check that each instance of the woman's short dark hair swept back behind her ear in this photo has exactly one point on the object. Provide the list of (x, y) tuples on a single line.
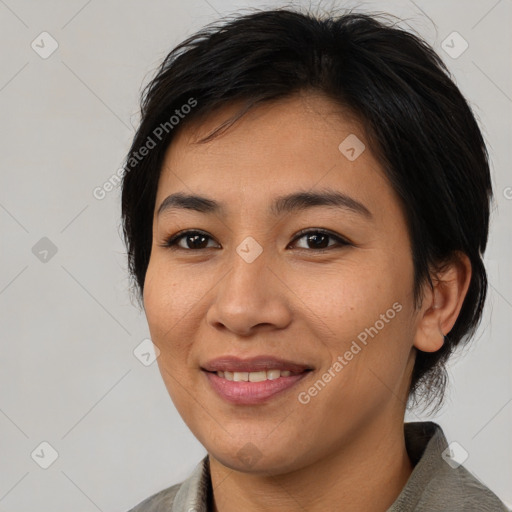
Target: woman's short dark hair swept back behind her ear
[(419, 125)]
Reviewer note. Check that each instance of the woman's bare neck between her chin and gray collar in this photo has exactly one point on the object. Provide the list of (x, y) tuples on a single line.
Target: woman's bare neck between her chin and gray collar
[(366, 474)]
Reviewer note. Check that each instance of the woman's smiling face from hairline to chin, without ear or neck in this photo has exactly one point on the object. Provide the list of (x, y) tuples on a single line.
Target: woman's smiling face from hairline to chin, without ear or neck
[(310, 297)]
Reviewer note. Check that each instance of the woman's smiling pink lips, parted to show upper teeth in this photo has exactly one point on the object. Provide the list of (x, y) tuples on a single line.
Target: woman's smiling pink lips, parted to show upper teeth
[(252, 381)]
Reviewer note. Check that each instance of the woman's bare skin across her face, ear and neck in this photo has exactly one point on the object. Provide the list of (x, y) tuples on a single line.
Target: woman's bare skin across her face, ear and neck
[(346, 446)]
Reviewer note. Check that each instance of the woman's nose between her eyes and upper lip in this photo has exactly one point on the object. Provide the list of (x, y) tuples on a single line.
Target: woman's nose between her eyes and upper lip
[(250, 298)]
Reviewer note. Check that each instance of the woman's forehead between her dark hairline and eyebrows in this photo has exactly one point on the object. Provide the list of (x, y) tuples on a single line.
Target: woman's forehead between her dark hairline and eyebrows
[(301, 142)]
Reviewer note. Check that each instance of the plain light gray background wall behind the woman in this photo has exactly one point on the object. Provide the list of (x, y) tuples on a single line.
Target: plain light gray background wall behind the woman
[(68, 374)]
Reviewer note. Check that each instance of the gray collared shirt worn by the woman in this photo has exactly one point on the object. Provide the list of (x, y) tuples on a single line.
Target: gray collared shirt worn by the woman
[(437, 483)]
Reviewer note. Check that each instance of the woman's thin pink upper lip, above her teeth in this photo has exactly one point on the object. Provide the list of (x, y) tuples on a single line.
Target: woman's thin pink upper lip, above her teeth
[(253, 364)]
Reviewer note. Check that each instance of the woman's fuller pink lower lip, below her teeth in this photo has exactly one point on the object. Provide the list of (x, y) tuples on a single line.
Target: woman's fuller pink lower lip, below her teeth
[(250, 393)]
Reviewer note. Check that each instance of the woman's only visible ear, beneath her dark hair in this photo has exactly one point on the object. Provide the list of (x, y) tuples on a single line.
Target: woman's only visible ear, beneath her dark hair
[(441, 305)]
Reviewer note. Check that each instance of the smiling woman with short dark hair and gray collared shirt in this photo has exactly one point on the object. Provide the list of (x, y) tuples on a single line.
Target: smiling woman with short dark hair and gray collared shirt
[(305, 206)]
